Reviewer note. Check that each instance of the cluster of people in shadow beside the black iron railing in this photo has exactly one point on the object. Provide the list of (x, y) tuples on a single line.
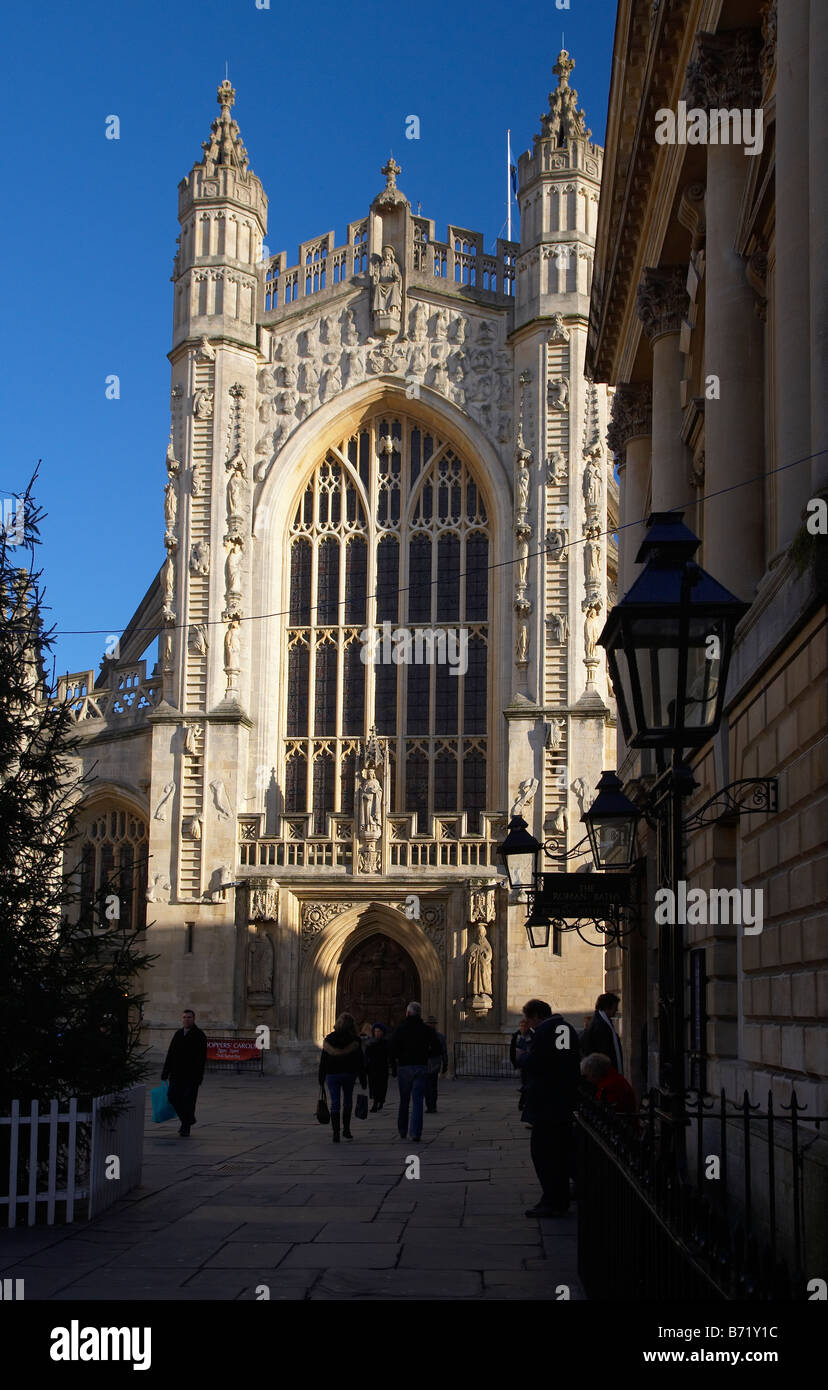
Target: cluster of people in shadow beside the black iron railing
[(552, 1060)]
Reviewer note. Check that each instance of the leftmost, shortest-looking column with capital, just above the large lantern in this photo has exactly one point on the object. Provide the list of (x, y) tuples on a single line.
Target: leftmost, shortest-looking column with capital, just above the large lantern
[(629, 437)]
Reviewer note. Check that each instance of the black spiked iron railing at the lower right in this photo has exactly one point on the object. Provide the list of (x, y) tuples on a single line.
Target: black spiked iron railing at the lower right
[(733, 1229)]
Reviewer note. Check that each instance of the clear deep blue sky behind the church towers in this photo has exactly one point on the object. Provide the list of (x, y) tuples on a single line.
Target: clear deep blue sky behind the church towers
[(90, 230)]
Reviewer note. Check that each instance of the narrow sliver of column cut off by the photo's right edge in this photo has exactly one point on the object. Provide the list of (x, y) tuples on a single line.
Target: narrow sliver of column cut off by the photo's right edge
[(819, 240)]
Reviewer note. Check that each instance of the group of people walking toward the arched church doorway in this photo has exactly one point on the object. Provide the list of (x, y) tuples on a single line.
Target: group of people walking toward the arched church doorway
[(415, 1054)]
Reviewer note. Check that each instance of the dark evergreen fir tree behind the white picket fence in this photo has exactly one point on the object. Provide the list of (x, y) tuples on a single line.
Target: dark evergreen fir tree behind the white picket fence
[(70, 971)]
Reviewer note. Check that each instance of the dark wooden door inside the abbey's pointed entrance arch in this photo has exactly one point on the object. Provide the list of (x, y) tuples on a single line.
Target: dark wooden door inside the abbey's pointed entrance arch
[(377, 981)]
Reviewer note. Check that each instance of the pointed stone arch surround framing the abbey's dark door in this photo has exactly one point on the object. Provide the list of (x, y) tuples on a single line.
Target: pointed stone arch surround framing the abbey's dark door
[(340, 940)]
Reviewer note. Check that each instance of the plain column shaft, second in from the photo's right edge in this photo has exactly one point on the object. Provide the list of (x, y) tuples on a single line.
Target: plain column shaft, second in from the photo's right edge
[(793, 308)]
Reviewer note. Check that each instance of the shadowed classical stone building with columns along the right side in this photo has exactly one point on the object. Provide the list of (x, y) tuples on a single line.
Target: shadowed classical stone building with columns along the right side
[(709, 318)]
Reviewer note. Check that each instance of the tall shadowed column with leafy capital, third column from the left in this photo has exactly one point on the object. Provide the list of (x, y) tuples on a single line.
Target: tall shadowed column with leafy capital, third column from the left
[(724, 74)]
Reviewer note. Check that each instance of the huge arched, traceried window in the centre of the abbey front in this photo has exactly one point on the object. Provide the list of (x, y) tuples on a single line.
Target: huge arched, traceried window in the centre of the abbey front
[(390, 530)]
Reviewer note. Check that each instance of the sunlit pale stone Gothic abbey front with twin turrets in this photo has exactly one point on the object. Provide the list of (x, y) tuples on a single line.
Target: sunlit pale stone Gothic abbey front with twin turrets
[(390, 444)]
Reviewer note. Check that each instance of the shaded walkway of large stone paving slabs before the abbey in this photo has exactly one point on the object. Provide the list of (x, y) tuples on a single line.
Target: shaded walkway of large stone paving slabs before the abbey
[(260, 1196)]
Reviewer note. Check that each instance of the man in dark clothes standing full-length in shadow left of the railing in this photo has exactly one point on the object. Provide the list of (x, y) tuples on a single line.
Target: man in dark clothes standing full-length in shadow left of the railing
[(552, 1072)]
